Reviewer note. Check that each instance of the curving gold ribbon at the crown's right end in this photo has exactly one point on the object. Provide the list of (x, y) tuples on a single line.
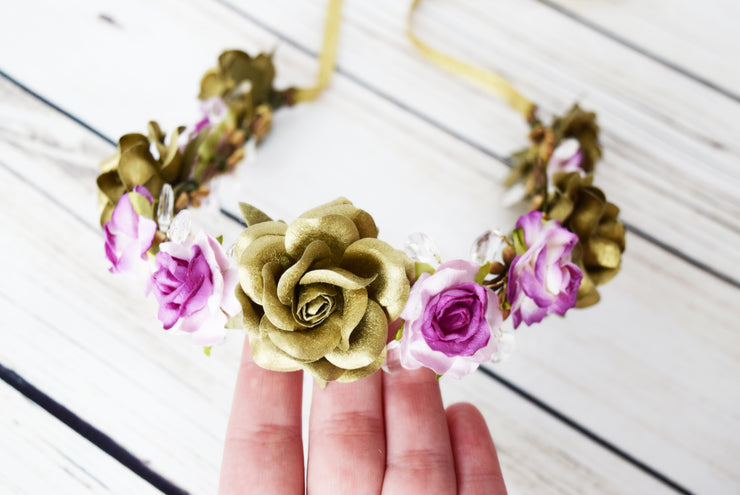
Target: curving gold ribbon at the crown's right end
[(483, 77)]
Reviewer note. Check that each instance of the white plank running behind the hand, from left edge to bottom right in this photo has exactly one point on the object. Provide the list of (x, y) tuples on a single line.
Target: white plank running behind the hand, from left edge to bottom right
[(94, 337)]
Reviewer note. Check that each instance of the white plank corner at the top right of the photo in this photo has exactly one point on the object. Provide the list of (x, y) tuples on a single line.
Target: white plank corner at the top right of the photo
[(700, 37)]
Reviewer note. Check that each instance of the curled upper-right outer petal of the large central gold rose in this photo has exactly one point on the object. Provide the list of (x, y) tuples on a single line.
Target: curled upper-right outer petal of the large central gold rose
[(373, 257)]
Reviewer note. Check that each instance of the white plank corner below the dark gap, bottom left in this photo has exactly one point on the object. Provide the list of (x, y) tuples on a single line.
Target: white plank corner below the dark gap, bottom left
[(42, 455)]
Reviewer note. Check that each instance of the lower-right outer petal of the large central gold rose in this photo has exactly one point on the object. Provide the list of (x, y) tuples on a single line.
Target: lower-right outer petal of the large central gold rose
[(366, 342)]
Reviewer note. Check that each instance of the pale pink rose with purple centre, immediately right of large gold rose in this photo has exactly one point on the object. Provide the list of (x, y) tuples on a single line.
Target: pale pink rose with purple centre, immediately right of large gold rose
[(450, 322)]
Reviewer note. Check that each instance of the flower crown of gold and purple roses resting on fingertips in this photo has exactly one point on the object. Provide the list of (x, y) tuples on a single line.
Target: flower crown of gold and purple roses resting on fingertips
[(323, 293)]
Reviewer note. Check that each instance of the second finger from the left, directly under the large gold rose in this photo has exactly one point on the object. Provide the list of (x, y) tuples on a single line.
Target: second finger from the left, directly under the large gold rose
[(346, 446)]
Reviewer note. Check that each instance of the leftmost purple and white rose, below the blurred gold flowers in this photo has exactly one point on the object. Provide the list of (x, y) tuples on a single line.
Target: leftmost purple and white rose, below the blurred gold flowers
[(129, 233)]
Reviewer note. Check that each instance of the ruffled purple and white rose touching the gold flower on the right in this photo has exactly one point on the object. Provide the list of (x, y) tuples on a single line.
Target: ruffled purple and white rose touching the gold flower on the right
[(543, 280)]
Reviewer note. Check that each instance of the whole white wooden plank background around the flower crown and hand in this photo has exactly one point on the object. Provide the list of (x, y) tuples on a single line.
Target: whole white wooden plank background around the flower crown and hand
[(652, 370)]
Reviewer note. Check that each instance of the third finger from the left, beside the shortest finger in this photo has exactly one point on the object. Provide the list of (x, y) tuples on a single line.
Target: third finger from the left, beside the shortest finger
[(419, 458)]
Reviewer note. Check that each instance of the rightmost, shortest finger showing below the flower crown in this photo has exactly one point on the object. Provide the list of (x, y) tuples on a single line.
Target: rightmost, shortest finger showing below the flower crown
[(476, 463)]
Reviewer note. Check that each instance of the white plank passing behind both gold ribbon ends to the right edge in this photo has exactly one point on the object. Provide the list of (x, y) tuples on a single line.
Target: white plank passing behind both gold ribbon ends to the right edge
[(671, 155)]
